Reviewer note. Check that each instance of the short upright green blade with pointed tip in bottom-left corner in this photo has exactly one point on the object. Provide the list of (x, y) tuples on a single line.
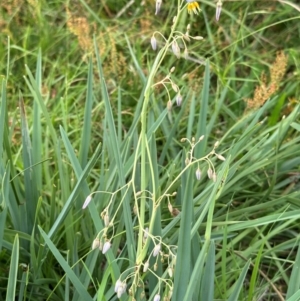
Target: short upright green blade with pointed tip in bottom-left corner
[(13, 271)]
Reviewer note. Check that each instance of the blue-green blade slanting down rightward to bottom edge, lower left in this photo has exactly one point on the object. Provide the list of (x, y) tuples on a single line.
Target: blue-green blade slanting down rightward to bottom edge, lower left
[(78, 286)]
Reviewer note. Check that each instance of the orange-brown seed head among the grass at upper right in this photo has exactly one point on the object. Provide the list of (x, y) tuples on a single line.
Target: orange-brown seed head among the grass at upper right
[(265, 90)]
